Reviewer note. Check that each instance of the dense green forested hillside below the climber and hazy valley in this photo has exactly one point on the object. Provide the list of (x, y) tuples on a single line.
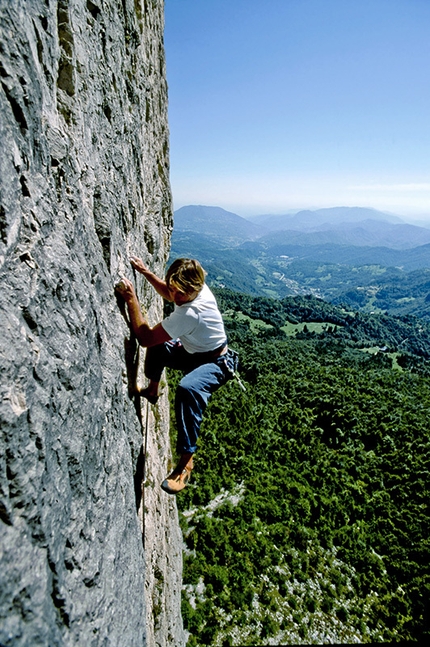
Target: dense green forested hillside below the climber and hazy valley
[(307, 517)]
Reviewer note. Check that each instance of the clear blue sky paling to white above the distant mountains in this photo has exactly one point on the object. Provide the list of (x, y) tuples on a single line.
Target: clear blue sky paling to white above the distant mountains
[(289, 104)]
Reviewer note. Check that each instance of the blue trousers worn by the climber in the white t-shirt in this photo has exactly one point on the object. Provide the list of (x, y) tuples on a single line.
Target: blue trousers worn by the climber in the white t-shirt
[(204, 374)]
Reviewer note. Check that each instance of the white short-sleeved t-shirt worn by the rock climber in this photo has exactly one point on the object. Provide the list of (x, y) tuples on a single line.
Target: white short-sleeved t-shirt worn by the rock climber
[(198, 323)]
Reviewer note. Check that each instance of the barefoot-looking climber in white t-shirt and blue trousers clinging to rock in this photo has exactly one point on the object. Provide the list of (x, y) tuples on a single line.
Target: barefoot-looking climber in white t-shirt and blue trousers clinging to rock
[(193, 340)]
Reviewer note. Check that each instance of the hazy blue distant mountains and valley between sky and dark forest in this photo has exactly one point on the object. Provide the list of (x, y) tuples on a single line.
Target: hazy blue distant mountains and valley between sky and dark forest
[(340, 255)]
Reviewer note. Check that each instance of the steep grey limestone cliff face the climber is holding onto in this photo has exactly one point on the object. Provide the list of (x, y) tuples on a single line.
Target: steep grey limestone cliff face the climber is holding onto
[(84, 184)]
